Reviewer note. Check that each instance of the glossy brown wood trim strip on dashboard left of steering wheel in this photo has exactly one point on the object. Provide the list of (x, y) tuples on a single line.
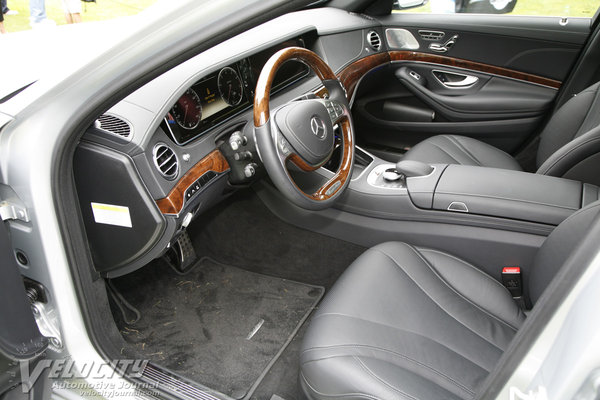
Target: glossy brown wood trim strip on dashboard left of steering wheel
[(173, 203)]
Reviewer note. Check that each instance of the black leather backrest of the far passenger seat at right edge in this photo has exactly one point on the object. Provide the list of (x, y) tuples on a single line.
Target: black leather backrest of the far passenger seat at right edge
[(570, 142)]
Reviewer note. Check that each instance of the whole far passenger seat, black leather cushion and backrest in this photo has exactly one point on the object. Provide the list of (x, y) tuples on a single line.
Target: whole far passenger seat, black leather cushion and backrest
[(569, 144)]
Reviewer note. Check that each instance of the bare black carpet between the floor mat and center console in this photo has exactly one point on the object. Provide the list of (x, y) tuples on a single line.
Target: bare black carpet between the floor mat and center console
[(243, 231)]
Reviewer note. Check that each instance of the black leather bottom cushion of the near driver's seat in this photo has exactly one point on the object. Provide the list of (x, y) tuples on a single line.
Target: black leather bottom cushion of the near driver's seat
[(406, 322)]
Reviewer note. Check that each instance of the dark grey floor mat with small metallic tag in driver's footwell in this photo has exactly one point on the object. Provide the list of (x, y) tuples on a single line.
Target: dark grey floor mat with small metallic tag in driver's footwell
[(218, 325)]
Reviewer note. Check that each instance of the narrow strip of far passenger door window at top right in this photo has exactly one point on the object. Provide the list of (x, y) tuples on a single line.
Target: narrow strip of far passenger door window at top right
[(560, 8)]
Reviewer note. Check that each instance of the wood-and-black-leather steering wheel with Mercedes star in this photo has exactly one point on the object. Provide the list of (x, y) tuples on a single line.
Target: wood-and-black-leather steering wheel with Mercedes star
[(302, 132)]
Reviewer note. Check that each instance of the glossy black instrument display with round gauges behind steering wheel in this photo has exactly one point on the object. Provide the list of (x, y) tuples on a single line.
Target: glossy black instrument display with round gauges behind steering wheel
[(218, 97)]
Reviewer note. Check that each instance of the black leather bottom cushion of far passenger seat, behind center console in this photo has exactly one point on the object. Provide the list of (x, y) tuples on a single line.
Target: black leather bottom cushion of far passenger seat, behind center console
[(448, 149)]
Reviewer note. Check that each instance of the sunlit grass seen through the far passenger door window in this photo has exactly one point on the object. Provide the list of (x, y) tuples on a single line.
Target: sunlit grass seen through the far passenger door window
[(559, 8)]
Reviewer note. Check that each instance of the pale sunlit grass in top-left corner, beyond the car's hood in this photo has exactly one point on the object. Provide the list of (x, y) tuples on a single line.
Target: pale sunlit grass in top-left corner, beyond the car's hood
[(99, 11)]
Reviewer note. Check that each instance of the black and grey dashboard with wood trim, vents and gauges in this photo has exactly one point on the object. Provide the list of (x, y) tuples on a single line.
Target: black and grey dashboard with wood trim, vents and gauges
[(163, 155)]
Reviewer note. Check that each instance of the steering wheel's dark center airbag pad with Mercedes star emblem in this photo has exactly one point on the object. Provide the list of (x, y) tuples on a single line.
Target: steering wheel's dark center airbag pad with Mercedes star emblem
[(307, 126)]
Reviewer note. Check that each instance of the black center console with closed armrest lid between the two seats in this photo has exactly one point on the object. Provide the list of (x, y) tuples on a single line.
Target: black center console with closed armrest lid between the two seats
[(467, 190)]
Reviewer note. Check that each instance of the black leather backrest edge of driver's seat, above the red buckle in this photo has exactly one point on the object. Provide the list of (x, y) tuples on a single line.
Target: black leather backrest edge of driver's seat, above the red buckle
[(558, 247)]
